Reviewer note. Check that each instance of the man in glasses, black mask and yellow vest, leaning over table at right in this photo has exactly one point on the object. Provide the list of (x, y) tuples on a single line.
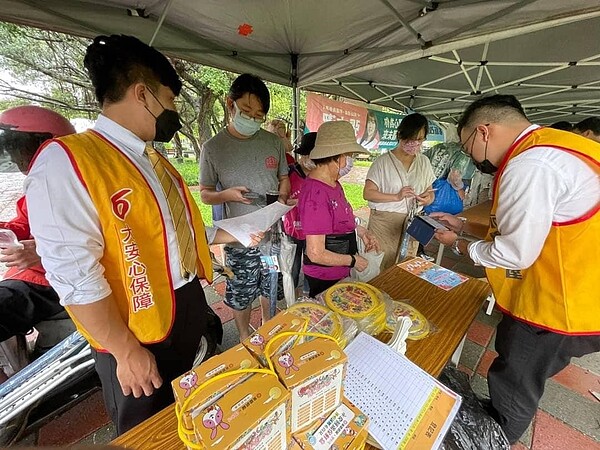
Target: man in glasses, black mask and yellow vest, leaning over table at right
[(542, 254)]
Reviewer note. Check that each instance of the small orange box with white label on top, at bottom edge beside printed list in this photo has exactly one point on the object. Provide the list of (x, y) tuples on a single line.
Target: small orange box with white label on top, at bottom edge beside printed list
[(346, 428)]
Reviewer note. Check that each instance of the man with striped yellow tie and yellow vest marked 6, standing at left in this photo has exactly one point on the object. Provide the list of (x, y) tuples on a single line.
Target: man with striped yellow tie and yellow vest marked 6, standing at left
[(111, 233)]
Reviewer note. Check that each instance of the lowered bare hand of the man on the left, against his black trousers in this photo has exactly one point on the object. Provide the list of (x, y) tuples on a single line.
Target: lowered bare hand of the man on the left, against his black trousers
[(137, 372)]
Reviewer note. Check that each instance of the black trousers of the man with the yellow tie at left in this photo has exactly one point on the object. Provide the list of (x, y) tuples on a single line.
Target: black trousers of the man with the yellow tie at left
[(174, 356)]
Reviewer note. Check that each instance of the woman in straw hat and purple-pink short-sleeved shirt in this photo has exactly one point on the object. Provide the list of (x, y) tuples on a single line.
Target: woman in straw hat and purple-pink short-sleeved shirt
[(326, 216)]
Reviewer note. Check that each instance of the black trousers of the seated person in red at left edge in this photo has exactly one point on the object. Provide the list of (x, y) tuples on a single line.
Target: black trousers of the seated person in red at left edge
[(23, 305)]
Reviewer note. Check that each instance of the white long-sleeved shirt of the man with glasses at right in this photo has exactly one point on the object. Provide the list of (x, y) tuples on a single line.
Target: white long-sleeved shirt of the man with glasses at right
[(538, 187)]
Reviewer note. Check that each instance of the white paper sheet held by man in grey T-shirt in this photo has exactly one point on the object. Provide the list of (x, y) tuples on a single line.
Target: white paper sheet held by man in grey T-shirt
[(241, 227)]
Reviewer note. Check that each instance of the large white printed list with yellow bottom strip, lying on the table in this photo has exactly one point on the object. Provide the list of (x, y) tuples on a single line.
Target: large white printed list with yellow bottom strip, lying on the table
[(408, 408)]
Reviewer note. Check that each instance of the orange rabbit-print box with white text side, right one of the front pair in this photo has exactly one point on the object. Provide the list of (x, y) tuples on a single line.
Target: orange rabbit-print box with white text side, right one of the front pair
[(313, 372)]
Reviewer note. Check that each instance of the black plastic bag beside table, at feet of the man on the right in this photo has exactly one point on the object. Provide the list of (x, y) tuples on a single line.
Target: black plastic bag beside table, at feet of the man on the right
[(473, 428)]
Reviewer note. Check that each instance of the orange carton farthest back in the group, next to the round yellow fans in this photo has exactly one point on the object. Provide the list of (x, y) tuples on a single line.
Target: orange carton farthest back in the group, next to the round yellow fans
[(284, 321)]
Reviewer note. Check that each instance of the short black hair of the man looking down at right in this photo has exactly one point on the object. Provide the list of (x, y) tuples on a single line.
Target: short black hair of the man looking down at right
[(493, 108)]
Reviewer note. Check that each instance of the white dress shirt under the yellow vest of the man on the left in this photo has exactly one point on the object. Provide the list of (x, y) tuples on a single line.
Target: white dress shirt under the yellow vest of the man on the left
[(65, 223)]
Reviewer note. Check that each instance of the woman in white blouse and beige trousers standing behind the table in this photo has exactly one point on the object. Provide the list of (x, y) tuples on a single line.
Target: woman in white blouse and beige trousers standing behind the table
[(397, 182)]
